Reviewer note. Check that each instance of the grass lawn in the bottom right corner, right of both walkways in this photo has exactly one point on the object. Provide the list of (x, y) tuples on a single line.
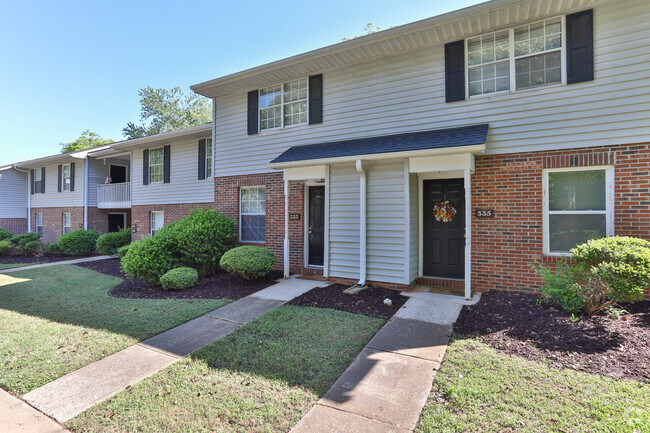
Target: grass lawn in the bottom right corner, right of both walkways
[(485, 390)]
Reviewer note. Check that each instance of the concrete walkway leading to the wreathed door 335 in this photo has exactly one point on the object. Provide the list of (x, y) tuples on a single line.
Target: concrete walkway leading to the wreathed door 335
[(387, 385)]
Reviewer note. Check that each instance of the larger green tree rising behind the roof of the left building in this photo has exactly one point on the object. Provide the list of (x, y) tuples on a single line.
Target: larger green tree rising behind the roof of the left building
[(165, 110)]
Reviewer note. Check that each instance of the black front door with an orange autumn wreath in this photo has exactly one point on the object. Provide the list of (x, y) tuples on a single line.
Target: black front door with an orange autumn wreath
[(444, 242)]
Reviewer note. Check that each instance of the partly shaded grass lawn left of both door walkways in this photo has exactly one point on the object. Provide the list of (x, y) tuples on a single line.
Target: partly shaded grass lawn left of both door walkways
[(58, 319)]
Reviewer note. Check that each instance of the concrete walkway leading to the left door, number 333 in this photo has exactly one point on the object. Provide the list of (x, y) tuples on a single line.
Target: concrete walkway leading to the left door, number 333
[(75, 392)]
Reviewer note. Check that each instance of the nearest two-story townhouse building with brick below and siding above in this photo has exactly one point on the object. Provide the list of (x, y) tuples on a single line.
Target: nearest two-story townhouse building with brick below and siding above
[(452, 151)]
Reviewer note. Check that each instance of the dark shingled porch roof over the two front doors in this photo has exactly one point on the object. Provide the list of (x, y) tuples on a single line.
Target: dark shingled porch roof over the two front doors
[(391, 145)]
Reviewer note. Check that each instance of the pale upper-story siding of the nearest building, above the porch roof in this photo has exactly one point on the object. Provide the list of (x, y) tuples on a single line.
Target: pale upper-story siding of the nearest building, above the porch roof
[(406, 92)]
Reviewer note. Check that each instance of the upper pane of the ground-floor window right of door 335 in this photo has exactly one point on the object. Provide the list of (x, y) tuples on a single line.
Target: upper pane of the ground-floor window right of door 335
[(577, 190)]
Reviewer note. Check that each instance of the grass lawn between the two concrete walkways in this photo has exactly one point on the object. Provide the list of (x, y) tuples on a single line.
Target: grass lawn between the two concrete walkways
[(261, 378)]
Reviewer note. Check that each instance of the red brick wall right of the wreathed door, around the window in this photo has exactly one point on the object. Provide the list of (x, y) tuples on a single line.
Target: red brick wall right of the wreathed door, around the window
[(503, 247)]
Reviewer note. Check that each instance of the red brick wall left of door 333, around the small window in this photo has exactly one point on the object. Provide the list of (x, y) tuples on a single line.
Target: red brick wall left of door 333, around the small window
[(226, 197)]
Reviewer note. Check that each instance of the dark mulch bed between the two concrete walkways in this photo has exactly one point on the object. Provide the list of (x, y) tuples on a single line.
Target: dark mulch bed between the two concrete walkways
[(369, 302)]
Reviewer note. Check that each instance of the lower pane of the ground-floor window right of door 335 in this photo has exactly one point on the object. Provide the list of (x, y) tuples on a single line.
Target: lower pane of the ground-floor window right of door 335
[(567, 231)]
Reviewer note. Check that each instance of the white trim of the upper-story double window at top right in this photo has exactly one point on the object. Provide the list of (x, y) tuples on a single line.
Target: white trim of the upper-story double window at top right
[(511, 59)]
